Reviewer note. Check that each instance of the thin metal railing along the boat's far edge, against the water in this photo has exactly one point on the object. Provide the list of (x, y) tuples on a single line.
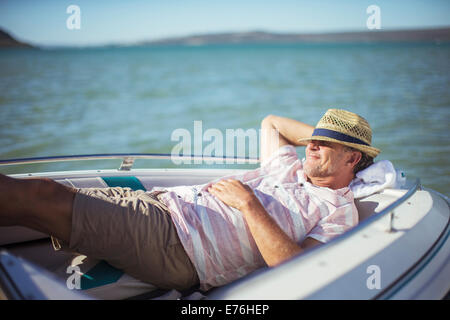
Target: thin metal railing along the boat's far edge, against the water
[(127, 159)]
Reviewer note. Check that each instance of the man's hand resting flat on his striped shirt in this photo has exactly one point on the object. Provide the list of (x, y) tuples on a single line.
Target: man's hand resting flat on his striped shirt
[(233, 193)]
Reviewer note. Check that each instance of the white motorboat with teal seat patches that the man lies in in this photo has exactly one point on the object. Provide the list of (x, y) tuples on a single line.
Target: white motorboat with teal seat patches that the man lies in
[(399, 250)]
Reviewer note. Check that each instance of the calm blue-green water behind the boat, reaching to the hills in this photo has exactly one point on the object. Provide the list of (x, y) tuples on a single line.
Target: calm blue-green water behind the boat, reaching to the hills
[(114, 100)]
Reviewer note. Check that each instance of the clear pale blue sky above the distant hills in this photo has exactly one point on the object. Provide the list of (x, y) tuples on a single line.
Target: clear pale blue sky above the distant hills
[(44, 22)]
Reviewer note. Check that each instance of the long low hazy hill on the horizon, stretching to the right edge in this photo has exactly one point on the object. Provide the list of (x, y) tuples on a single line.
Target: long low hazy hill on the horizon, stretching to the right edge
[(422, 35)]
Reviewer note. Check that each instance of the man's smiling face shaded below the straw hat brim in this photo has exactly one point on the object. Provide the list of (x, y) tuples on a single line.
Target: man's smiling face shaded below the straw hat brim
[(324, 159)]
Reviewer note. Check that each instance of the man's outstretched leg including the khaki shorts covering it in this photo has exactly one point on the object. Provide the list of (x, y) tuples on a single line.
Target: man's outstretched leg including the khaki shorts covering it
[(129, 230)]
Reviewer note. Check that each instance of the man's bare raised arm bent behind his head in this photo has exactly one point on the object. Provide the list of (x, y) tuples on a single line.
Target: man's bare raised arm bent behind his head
[(279, 131)]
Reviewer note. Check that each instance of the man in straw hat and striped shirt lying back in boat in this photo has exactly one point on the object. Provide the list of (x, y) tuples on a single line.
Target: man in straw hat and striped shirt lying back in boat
[(211, 234)]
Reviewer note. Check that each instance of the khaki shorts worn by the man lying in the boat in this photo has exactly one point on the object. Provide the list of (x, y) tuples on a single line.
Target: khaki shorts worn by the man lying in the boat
[(132, 231)]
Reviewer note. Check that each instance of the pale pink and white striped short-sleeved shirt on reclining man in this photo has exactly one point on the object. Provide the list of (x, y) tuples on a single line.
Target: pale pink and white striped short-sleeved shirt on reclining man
[(216, 237)]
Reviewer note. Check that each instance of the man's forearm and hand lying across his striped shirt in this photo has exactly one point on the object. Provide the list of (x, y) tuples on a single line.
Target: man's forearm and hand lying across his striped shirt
[(273, 243)]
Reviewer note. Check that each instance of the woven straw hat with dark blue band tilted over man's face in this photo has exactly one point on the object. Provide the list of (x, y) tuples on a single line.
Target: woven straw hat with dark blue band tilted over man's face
[(346, 128)]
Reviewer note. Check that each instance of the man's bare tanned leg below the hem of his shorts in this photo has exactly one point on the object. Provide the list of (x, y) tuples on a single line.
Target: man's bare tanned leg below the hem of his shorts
[(39, 203)]
